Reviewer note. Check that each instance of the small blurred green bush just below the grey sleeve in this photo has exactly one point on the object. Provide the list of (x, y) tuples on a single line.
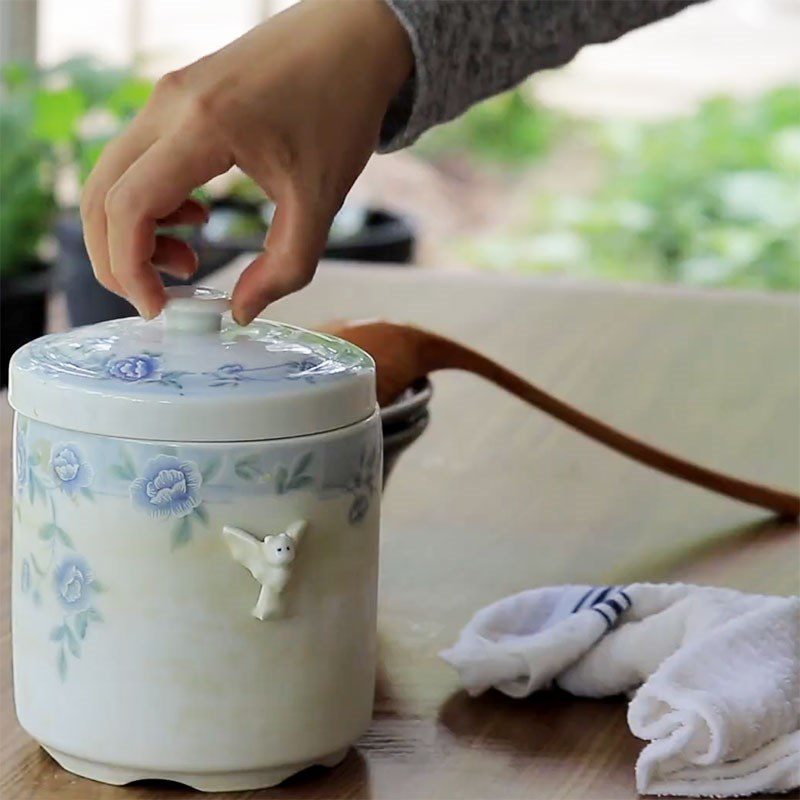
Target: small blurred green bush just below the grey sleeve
[(506, 129)]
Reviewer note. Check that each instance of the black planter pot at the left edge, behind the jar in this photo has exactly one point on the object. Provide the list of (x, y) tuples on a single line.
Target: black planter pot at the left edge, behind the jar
[(23, 312)]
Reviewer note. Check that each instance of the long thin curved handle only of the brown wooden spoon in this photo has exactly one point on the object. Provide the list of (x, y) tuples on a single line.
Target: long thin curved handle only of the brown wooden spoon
[(438, 350)]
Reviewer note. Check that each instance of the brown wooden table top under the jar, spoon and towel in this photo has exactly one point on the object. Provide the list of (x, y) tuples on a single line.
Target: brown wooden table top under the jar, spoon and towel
[(496, 498)]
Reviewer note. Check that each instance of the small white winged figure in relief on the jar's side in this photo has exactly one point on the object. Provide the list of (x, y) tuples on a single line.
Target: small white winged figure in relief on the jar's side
[(269, 562)]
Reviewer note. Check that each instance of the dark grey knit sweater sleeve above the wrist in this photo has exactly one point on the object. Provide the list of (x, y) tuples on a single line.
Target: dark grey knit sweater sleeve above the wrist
[(467, 50)]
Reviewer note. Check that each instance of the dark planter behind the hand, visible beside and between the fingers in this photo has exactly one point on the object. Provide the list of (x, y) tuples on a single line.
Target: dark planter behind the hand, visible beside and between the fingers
[(235, 227)]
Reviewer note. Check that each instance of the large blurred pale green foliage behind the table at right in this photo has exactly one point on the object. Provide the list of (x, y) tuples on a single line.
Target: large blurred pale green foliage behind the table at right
[(712, 199)]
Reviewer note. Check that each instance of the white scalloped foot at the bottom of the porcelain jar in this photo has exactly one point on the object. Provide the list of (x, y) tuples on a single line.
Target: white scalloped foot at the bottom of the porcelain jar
[(202, 781)]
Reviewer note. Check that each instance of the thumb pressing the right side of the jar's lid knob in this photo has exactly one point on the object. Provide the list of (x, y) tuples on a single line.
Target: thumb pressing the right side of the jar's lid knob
[(294, 244)]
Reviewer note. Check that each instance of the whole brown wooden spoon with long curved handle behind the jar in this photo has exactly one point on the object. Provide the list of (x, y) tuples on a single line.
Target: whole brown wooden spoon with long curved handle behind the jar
[(404, 354)]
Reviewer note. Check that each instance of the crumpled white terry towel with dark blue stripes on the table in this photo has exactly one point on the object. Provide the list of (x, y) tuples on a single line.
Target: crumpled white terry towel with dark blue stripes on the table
[(714, 674)]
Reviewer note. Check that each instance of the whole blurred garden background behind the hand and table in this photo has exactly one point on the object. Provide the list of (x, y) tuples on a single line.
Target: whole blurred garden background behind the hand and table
[(669, 156)]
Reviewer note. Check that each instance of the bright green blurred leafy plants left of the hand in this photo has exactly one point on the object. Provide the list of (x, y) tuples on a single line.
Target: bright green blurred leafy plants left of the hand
[(53, 121)]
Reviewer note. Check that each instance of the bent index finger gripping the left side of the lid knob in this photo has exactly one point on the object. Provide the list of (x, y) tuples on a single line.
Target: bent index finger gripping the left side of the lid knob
[(151, 189)]
